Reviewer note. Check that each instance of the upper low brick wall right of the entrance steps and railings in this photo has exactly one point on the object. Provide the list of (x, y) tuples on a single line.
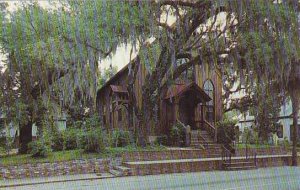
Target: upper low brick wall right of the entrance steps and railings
[(263, 151)]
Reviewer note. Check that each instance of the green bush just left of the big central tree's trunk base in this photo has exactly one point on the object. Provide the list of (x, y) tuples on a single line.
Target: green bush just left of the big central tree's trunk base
[(120, 138)]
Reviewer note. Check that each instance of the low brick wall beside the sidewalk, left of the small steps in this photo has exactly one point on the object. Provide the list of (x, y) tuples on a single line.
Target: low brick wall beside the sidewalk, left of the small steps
[(54, 169)]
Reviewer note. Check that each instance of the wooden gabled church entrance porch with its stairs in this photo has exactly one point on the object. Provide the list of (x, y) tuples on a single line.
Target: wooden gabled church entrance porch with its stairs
[(191, 105)]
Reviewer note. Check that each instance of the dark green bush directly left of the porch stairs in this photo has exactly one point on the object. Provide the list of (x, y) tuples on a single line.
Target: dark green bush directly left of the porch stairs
[(178, 134)]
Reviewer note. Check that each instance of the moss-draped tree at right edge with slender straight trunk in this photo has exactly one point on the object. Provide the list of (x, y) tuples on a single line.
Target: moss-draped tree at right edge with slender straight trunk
[(267, 49)]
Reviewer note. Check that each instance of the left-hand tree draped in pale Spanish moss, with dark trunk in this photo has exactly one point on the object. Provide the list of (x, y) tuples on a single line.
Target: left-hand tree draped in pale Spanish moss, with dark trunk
[(53, 54)]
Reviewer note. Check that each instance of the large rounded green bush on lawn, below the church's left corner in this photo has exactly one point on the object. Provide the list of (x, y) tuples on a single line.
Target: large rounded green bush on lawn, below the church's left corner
[(93, 140)]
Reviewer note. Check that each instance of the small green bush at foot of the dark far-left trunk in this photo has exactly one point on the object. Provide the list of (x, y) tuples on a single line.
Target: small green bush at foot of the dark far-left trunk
[(40, 148)]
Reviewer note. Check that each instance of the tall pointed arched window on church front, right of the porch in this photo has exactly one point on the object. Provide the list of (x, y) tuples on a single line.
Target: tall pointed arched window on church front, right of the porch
[(209, 90)]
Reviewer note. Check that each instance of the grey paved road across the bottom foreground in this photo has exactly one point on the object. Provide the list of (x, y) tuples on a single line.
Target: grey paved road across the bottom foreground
[(283, 178)]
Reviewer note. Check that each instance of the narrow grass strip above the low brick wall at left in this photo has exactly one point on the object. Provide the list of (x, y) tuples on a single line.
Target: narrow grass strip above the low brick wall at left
[(72, 155)]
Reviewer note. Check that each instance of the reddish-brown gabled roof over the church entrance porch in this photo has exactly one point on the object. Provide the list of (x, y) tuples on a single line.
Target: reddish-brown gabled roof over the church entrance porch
[(179, 89)]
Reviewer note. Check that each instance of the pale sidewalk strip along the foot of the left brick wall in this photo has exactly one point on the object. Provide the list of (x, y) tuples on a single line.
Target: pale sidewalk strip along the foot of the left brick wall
[(55, 179)]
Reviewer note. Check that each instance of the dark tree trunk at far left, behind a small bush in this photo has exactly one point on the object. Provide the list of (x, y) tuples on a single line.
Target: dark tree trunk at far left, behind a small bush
[(25, 137)]
